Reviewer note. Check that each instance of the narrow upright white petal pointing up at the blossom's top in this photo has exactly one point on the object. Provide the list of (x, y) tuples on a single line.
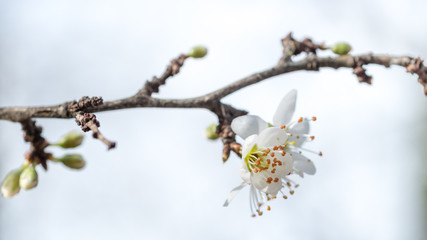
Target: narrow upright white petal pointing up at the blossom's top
[(286, 109)]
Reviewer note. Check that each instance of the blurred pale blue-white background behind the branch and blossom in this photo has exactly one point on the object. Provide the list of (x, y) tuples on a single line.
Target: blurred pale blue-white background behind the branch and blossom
[(164, 180)]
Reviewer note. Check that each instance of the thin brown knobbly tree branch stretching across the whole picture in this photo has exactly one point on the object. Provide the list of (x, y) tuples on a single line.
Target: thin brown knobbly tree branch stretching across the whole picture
[(83, 110)]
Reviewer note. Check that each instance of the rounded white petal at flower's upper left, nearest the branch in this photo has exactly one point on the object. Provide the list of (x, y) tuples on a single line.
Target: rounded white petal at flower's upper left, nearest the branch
[(247, 125)]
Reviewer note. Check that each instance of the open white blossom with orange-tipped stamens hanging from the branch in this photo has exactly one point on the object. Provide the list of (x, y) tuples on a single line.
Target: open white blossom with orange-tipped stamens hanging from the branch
[(272, 152)]
